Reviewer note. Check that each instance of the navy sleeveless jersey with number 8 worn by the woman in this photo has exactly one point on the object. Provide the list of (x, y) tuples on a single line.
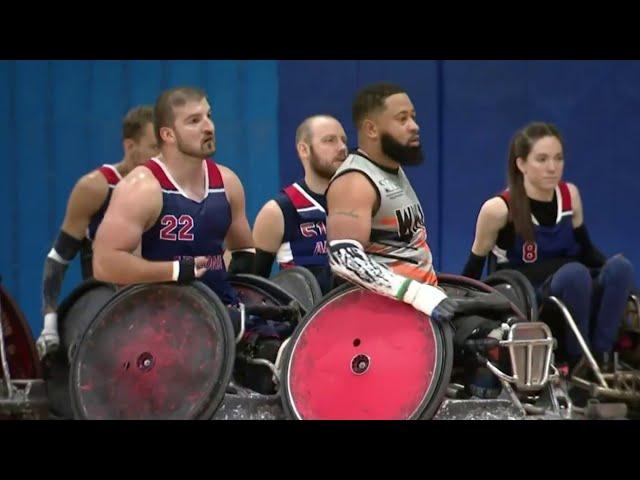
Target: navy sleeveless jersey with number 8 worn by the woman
[(551, 241)]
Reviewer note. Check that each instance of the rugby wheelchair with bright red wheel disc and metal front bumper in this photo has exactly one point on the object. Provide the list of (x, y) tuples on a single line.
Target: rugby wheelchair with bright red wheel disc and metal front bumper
[(359, 355)]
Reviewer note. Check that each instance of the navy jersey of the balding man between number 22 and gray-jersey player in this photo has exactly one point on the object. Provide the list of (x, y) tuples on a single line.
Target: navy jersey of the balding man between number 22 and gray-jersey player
[(304, 242)]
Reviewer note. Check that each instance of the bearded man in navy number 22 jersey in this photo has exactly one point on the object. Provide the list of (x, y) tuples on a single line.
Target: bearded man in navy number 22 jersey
[(171, 219)]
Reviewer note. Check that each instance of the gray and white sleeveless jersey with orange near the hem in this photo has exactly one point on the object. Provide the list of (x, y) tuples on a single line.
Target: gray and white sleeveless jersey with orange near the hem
[(398, 234)]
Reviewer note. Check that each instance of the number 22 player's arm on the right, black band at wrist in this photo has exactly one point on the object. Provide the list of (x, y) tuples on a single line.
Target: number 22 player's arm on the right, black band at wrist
[(238, 239)]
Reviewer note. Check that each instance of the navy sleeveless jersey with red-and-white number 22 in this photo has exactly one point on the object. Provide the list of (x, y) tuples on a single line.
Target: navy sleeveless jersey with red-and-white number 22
[(186, 228)]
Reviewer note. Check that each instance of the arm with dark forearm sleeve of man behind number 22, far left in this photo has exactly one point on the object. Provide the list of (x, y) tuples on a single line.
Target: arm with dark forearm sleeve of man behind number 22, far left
[(85, 200)]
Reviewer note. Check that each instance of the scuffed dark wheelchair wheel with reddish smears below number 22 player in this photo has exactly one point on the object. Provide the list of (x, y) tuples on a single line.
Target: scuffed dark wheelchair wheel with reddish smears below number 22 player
[(155, 351)]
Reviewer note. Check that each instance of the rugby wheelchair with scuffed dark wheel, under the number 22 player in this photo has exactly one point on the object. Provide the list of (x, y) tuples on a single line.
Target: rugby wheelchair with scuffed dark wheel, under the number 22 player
[(167, 351)]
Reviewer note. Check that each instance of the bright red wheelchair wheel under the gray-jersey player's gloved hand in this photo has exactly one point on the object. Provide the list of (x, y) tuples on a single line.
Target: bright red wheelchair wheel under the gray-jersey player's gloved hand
[(359, 355)]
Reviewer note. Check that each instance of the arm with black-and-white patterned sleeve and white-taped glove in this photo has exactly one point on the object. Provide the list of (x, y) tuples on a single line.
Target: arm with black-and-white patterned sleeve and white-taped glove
[(351, 199)]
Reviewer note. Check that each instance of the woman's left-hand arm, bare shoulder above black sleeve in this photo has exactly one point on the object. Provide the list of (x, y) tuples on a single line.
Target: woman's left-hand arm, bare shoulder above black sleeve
[(492, 217)]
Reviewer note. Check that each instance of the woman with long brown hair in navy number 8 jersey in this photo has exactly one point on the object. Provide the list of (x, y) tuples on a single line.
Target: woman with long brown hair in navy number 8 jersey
[(537, 227)]
